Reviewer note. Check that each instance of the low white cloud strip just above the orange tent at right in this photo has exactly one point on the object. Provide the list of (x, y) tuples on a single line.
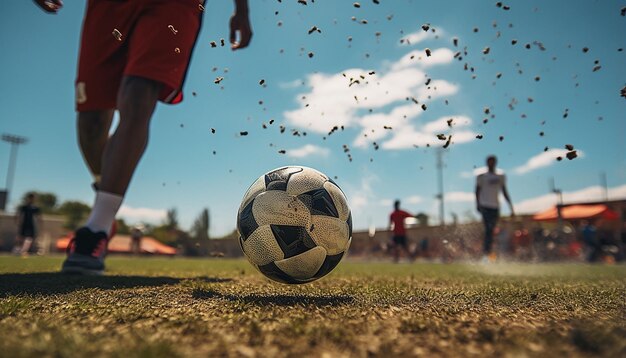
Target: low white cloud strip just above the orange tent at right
[(589, 194)]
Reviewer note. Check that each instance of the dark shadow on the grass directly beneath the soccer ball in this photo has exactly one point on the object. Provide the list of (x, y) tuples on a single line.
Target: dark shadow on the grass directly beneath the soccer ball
[(276, 300)]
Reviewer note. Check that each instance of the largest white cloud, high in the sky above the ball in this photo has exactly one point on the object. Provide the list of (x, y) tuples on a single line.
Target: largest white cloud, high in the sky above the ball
[(339, 100)]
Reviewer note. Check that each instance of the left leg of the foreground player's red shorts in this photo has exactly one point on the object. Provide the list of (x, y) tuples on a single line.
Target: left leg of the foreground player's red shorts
[(103, 53)]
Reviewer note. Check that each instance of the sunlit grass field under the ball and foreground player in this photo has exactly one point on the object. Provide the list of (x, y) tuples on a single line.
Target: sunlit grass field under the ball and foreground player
[(183, 307)]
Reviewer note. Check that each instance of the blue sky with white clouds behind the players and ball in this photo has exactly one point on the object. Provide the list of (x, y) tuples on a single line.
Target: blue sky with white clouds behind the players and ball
[(180, 170)]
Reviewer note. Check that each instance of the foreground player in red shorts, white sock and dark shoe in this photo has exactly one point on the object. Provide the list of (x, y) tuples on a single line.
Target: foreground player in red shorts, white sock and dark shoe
[(132, 55)]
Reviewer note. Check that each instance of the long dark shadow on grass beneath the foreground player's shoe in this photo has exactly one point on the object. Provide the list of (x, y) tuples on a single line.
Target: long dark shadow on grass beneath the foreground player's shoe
[(46, 283)]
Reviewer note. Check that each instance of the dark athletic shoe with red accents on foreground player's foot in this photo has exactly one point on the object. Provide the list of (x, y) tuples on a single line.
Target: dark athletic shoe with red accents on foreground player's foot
[(86, 252)]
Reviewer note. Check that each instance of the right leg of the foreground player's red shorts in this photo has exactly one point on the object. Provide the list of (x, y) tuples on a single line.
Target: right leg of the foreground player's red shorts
[(162, 43)]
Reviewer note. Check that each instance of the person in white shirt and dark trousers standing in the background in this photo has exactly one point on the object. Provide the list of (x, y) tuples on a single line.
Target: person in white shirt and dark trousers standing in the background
[(488, 188)]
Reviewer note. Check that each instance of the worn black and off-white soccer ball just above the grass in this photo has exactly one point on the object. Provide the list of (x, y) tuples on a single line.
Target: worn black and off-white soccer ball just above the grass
[(294, 224)]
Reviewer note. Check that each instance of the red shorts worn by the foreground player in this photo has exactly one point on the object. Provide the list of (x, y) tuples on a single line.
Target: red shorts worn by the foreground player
[(153, 39)]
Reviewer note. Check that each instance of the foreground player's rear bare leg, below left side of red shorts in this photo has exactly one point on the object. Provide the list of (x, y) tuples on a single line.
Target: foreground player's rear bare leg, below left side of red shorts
[(93, 134)]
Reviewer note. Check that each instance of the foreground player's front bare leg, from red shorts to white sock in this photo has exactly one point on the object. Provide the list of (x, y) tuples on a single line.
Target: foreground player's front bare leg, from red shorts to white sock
[(137, 99)]
